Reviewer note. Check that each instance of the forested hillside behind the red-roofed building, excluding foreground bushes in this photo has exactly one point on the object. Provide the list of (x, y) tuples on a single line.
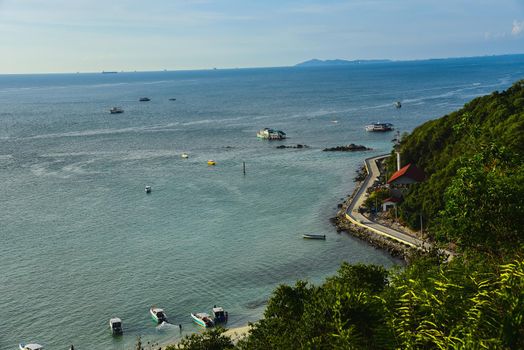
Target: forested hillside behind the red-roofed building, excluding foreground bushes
[(472, 158)]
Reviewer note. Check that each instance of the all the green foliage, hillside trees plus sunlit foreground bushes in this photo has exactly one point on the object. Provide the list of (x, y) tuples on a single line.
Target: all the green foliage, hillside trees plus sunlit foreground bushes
[(473, 198)]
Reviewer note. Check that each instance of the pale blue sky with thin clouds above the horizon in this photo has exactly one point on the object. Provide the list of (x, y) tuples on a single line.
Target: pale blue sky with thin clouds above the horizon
[(42, 36)]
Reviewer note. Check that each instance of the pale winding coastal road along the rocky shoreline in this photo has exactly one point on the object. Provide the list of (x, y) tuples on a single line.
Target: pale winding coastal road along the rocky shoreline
[(358, 219)]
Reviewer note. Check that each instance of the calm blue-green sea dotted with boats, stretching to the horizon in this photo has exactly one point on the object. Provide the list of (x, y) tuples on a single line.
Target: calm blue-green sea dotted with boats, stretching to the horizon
[(81, 242)]
